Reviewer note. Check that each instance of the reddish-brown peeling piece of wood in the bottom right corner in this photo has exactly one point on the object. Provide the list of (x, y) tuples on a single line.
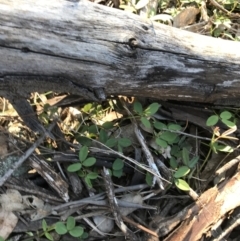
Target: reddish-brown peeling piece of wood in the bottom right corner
[(212, 206)]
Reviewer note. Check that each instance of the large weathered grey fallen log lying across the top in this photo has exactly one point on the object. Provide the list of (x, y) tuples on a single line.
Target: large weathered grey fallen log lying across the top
[(83, 47)]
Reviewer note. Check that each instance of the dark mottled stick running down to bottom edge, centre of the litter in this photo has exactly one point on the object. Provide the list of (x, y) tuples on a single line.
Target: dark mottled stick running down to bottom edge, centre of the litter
[(114, 205)]
